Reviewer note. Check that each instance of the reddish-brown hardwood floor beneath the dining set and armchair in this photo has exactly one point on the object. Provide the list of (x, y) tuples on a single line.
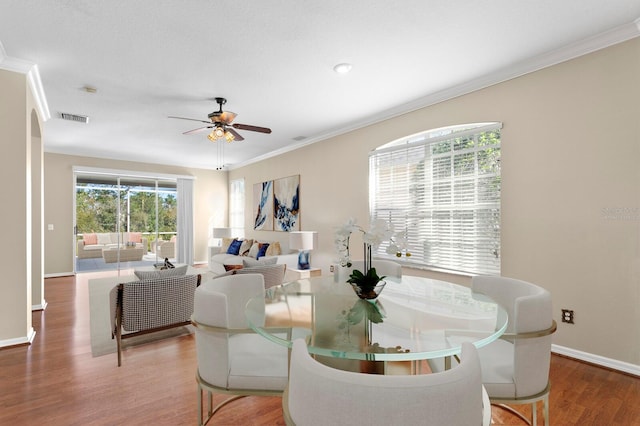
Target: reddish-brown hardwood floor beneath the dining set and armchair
[(56, 381)]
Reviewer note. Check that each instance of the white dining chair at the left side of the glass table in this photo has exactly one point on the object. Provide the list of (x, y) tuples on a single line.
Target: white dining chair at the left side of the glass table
[(232, 358)]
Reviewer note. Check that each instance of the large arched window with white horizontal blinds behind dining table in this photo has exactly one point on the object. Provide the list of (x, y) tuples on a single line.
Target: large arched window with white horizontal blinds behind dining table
[(440, 190)]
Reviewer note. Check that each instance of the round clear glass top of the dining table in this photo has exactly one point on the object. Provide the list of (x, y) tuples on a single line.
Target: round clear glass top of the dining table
[(414, 318)]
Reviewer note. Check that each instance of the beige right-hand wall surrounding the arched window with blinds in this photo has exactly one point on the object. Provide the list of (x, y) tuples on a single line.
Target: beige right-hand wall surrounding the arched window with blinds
[(570, 153)]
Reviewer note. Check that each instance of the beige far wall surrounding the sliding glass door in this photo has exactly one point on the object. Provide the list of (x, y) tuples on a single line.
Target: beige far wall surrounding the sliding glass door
[(210, 195)]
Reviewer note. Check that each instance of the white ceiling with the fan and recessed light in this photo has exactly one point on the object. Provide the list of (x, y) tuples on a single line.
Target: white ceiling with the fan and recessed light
[(273, 60)]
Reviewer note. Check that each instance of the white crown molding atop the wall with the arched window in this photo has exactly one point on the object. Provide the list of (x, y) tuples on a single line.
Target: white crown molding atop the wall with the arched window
[(571, 51)]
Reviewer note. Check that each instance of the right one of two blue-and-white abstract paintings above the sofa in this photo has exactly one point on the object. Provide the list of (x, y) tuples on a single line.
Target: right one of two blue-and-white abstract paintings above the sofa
[(286, 204)]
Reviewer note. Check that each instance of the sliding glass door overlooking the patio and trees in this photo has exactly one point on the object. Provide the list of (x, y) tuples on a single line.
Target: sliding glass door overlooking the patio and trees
[(124, 221)]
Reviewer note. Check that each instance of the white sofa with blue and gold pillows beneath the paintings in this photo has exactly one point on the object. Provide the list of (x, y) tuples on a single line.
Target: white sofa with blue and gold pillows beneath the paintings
[(224, 258)]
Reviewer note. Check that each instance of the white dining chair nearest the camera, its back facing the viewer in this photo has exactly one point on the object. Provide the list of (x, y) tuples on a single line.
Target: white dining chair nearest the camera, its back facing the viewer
[(321, 395)]
